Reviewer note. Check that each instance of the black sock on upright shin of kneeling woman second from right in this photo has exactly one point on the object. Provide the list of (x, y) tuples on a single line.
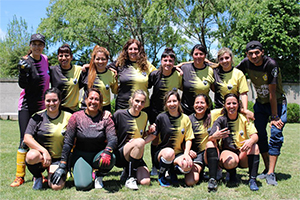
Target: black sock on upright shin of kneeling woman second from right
[(212, 161)]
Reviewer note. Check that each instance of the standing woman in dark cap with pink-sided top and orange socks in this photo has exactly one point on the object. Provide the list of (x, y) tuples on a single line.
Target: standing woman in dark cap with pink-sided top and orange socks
[(34, 80)]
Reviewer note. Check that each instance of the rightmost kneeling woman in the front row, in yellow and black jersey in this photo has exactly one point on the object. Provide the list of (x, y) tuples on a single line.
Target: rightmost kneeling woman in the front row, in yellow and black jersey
[(238, 141)]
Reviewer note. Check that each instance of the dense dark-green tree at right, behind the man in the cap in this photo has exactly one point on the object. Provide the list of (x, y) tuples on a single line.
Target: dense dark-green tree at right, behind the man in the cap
[(275, 23)]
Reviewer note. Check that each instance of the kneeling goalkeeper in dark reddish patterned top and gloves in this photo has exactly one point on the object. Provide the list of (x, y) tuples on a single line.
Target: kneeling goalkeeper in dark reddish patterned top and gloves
[(94, 138)]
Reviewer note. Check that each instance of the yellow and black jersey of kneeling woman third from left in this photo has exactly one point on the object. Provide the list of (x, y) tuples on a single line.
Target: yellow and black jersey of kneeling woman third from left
[(129, 127)]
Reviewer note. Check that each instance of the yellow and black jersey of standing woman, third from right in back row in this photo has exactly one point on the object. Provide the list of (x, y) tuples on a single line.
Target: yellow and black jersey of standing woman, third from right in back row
[(194, 81)]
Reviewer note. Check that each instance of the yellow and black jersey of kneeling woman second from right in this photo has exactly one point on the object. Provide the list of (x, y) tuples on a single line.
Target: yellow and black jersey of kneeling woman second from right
[(200, 133)]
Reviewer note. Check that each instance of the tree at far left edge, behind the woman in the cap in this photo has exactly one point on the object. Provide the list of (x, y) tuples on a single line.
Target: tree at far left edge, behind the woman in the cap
[(13, 47)]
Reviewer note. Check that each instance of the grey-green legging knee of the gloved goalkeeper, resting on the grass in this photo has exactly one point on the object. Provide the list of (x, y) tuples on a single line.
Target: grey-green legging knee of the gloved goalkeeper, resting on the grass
[(82, 172)]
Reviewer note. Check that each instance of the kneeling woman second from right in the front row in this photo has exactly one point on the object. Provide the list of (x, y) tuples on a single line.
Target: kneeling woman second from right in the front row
[(203, 151)]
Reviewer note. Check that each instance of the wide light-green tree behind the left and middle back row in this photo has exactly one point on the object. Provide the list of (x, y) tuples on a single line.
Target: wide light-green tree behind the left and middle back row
[(110, 23)]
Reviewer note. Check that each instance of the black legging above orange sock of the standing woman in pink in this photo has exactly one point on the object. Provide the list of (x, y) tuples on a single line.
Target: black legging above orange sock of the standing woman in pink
[(23, 117)]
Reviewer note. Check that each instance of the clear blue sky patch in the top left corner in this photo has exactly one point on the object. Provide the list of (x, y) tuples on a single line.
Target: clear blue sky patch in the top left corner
[(32, 11)]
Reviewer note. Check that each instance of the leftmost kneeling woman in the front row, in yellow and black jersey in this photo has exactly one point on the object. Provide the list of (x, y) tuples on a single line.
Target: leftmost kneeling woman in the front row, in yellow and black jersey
[(44, 136)]
